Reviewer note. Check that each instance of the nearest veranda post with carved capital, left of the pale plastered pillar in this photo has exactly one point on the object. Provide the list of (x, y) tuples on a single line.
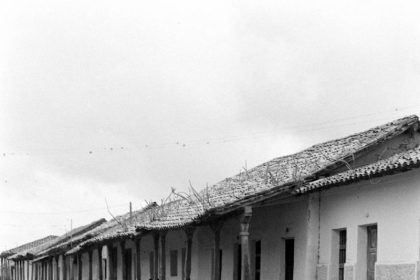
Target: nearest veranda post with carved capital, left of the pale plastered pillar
[(245, 249)]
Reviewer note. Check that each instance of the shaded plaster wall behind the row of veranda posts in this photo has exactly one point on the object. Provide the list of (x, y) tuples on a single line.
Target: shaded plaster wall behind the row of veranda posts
[(270, 224)]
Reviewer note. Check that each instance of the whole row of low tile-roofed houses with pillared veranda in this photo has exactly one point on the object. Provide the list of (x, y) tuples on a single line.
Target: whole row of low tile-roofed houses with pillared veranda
[(344, 209)]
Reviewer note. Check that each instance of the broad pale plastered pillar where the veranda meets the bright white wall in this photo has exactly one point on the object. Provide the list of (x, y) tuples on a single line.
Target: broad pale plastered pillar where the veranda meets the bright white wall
[(312, 235)]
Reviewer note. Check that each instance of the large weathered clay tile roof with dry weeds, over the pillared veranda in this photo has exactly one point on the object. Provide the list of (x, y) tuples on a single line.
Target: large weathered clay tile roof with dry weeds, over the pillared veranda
[(270, 178)]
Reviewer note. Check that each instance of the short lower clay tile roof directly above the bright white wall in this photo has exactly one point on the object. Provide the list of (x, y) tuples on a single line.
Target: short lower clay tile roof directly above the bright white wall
[(401, 161)]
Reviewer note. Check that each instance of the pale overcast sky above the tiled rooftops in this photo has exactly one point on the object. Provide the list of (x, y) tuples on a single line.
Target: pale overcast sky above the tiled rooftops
[(111, 102)]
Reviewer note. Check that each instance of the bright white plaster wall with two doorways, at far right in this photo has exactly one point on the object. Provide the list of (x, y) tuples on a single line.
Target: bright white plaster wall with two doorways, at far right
[(392, 203)]
